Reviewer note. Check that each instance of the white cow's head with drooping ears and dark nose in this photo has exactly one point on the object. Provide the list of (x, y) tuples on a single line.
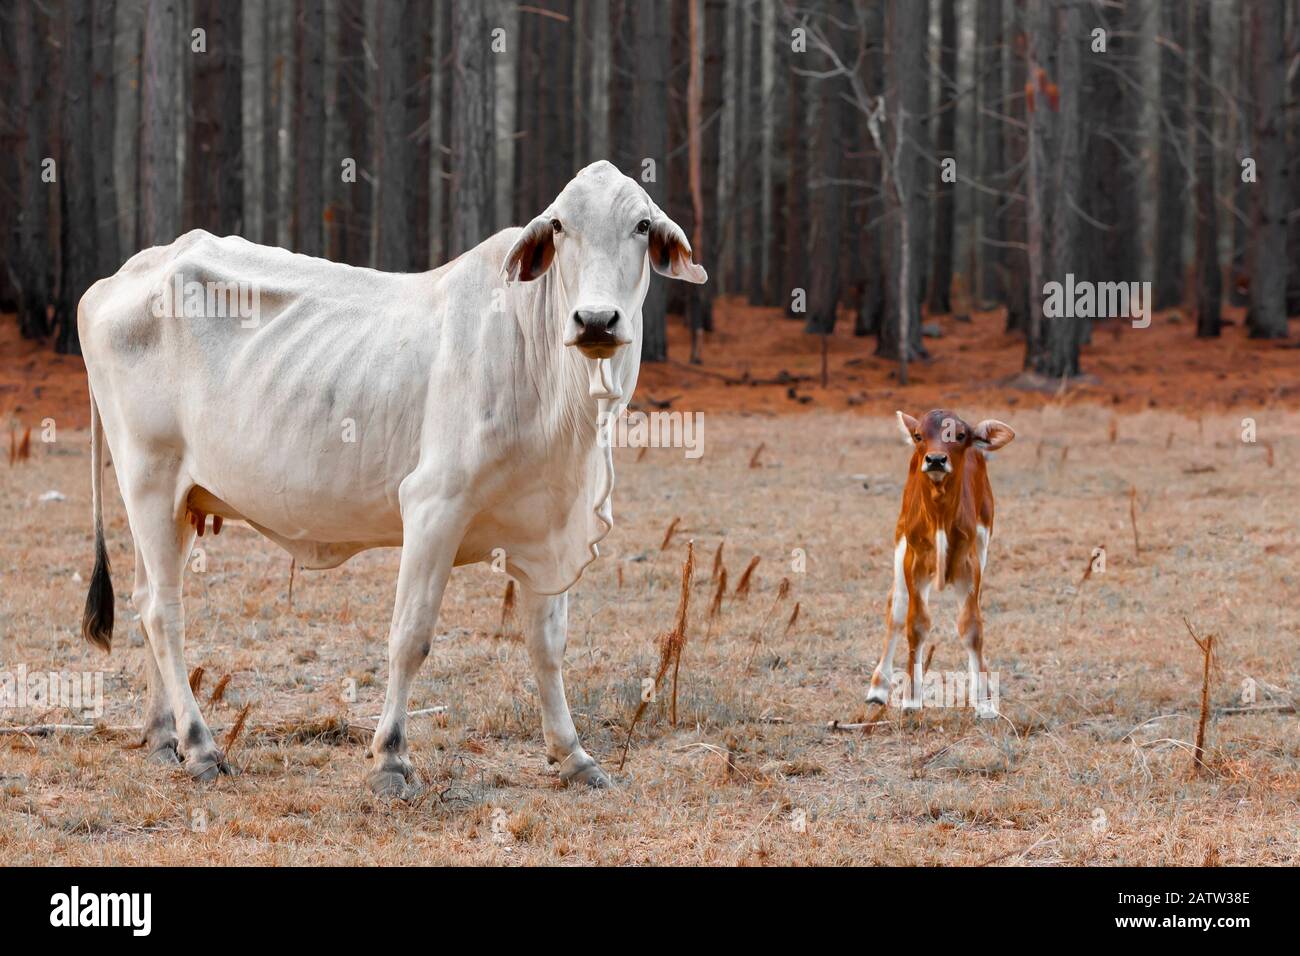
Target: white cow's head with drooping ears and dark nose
[(597, 237)]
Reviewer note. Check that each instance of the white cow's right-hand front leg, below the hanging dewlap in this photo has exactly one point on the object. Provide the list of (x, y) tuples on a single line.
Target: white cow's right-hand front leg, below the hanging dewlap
[(547, 631)]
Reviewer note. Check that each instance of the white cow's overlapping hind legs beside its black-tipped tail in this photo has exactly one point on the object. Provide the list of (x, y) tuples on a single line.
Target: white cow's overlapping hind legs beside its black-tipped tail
[(155, 505)]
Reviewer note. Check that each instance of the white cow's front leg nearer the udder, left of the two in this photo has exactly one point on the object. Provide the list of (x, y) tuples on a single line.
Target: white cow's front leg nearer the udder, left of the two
[(428, 552)]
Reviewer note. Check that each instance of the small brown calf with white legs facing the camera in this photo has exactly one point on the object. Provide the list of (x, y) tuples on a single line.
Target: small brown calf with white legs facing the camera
[(942, 539)]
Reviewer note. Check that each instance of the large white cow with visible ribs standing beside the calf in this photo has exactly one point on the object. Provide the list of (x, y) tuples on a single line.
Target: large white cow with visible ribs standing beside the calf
[(450, 413)]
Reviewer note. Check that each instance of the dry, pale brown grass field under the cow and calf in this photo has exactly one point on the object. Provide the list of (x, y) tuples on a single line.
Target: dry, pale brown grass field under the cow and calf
[(1100, 684)]
